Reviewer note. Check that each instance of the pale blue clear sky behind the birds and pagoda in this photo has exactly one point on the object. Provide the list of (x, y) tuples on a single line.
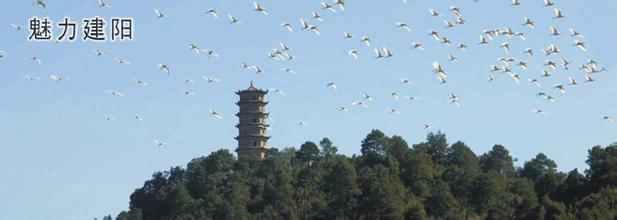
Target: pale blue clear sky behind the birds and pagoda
[(61, 159)]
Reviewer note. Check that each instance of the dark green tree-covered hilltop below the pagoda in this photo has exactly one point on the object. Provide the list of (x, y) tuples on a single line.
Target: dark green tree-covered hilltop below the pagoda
[(389, 180)]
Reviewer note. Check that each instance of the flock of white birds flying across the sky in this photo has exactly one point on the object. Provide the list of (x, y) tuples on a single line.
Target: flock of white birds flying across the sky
[(513, 64)]
